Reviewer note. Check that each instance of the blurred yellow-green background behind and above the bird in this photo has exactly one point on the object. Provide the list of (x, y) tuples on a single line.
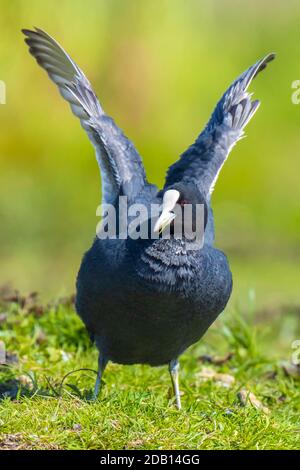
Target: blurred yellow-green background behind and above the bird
[(158, 67)]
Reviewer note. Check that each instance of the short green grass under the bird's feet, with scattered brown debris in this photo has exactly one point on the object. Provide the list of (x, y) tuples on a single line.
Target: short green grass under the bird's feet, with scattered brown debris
[(39, 410)]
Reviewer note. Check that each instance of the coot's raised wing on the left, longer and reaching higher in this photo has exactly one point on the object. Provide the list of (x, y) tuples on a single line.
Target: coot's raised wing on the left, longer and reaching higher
[(121, 166)]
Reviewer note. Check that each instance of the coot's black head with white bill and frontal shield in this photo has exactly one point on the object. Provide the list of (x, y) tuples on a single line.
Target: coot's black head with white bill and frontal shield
[(183, 209)]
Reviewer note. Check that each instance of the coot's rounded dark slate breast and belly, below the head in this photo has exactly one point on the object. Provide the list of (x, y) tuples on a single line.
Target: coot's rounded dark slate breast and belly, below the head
[(153, 303)]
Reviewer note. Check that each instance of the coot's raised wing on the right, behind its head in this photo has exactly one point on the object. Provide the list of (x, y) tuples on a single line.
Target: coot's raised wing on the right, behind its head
[(203, 160)]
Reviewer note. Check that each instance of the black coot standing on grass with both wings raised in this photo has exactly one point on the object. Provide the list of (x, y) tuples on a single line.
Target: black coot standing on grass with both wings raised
[(147, 300)]
